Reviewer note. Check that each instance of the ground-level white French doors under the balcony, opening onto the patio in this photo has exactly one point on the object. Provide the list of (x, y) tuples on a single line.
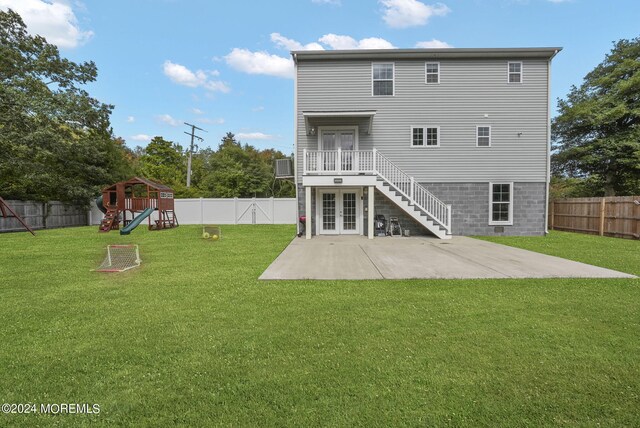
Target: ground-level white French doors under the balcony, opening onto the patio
[(338, 211)]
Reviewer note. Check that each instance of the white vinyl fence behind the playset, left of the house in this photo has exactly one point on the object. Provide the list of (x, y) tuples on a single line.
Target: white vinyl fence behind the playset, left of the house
[(228, 211)]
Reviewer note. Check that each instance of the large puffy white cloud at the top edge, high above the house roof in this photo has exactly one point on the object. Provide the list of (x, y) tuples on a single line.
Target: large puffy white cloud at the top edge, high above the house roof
[(410, 13)]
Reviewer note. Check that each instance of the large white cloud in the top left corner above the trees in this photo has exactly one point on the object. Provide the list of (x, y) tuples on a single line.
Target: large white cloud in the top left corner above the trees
[(52, 19)]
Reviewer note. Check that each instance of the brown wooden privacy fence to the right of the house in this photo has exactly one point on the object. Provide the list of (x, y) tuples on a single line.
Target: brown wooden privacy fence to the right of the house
[(617, 216)]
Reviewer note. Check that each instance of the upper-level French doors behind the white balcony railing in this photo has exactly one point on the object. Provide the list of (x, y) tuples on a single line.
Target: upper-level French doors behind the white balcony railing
[(332, 139)]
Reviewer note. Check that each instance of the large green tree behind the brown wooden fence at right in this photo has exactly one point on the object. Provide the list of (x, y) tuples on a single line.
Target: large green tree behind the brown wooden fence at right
[(596, 135)]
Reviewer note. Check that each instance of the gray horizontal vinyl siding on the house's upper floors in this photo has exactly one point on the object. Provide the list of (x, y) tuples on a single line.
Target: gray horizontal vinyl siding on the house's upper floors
[(468, 89)]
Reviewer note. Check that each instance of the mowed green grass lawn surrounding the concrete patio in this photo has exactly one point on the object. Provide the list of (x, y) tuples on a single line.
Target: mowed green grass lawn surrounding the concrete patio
[(193, 338)]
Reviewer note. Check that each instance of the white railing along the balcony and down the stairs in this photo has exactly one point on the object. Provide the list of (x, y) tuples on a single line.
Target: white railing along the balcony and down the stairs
[(372, 162)]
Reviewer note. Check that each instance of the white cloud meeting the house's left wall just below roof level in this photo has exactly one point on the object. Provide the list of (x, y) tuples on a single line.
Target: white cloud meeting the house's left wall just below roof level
[(260, 63)]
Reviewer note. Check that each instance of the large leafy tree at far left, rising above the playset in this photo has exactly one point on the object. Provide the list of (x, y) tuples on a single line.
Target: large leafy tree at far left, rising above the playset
[(55, 140)]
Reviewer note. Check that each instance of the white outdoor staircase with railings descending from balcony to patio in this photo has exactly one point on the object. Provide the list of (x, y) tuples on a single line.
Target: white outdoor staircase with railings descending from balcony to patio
[(412, 197)]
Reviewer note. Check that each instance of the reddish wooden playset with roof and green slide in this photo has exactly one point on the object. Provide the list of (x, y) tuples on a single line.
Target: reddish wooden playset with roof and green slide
[(132, 201)]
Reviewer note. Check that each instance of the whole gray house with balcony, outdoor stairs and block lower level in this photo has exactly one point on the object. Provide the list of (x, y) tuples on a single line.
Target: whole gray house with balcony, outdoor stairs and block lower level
[(450, 141)]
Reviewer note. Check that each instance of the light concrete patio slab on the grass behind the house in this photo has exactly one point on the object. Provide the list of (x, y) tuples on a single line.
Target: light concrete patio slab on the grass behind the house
[(355, 257)]
